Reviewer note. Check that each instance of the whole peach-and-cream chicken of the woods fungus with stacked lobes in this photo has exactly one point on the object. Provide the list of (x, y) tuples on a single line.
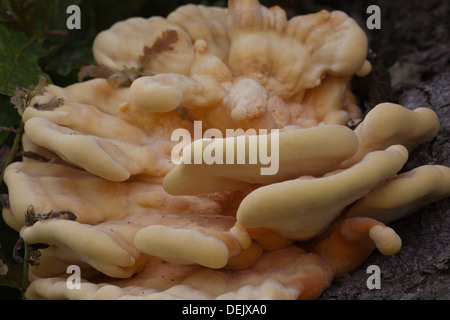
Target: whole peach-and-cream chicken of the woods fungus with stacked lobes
[(111, 200)]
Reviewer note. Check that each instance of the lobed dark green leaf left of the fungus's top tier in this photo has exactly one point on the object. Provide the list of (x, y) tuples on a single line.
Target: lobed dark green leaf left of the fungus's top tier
[(19, 57)]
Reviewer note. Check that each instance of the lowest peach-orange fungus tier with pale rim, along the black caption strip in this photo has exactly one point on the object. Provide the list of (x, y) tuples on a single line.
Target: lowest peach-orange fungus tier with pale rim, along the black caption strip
[(288, 273)]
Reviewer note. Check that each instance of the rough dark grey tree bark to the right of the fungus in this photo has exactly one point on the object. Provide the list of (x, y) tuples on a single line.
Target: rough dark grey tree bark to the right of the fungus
[(411, 51)]
